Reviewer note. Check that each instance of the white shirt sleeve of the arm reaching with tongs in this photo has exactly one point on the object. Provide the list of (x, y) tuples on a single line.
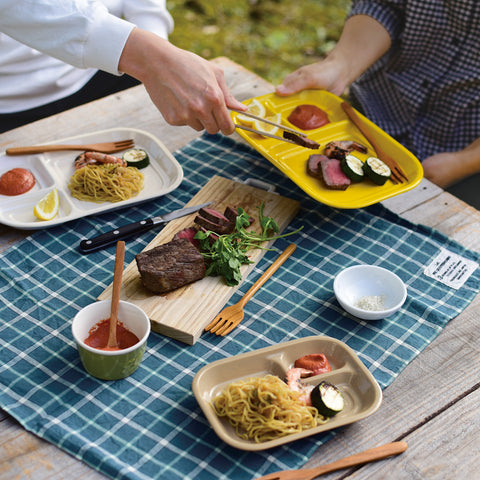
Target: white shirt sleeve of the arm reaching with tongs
[(82, 33)]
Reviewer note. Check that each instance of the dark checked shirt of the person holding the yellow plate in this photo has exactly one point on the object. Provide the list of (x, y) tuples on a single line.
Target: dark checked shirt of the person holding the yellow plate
[(425, 91)]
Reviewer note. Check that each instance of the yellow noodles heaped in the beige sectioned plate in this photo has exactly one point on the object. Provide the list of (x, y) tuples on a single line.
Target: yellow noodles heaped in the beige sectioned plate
[(265, 408)]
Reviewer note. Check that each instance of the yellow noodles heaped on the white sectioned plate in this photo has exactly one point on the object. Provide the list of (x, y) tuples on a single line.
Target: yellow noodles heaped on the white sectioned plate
[(105, 183)]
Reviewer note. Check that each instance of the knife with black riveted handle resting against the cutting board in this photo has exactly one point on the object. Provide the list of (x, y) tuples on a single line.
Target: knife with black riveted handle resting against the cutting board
[(120, 233)]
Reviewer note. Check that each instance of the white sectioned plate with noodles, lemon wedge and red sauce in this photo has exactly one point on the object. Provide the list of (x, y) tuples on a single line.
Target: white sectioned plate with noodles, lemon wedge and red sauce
[(54, 169)]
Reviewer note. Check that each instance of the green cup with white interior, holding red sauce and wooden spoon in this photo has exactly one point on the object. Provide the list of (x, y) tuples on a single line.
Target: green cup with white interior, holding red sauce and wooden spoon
[(111, 365)]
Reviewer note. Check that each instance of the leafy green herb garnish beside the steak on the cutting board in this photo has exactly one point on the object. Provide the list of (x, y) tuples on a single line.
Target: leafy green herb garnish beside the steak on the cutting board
[(228, 253)]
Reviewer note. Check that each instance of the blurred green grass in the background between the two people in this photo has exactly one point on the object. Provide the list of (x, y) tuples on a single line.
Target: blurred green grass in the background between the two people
[(269, 37)]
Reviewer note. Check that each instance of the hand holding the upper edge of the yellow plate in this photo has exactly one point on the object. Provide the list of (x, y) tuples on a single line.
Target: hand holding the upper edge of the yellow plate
[(326, 75)]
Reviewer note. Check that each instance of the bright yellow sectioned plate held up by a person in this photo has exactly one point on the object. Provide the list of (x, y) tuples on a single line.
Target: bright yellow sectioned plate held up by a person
[(292, 160)]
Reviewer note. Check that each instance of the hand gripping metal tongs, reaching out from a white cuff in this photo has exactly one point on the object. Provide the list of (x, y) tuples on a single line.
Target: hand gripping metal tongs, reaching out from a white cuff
[(187, 89)]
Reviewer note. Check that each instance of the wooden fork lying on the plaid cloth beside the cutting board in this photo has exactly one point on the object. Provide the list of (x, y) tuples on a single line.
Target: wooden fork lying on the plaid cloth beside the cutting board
[(231, 316)]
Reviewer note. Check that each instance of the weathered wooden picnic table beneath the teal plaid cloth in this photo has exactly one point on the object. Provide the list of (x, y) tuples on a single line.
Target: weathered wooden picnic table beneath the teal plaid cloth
[(432, 405)]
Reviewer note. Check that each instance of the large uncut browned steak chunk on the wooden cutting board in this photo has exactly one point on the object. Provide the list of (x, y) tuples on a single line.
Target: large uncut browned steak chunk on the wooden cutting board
[(170, 266)]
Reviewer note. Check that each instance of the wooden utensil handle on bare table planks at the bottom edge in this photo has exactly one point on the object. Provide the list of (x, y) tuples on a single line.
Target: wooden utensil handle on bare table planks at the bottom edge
[(371, 455)]
